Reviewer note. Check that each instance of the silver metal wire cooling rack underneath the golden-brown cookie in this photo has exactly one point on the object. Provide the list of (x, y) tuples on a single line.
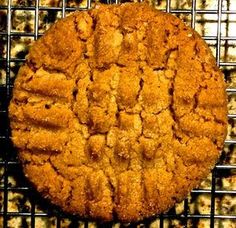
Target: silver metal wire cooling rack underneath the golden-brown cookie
[(22, 21)]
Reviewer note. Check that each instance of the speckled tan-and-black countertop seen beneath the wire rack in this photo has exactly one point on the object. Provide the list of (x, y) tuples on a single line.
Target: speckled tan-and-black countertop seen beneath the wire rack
[(198, 202)]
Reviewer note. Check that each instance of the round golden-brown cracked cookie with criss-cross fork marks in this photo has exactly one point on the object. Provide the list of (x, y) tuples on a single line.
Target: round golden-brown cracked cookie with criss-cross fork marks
[(118, 112)]
